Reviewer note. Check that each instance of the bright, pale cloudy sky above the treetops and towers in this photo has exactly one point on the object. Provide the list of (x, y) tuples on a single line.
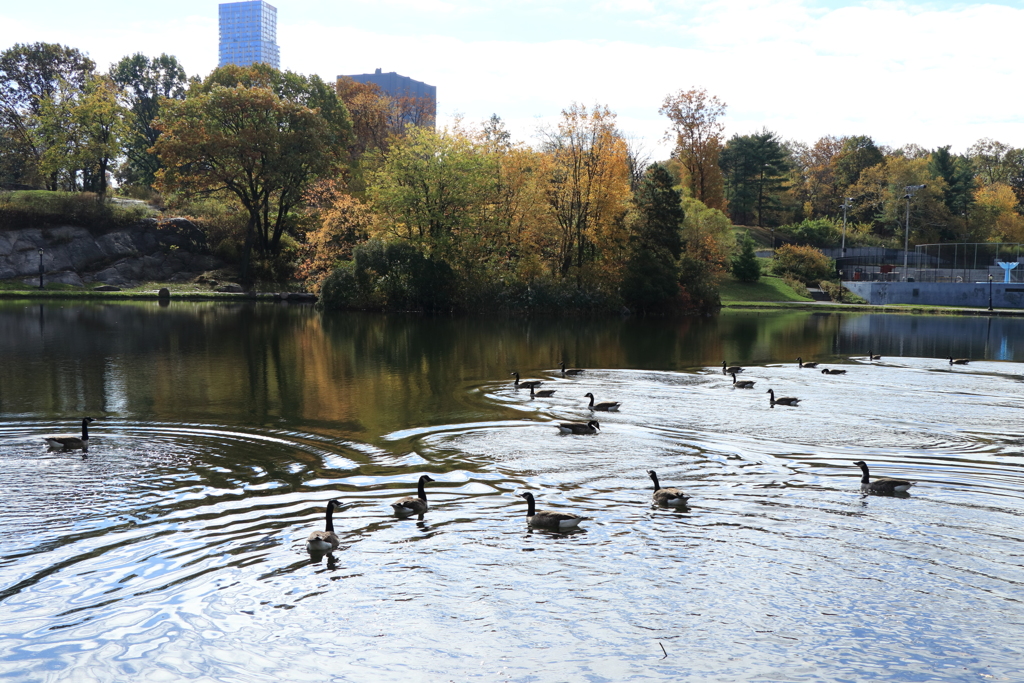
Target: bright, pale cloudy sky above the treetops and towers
[(931, 74)]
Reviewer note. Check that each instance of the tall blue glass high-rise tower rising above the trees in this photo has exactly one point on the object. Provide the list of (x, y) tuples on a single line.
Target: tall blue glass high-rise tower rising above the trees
[(249, 34)]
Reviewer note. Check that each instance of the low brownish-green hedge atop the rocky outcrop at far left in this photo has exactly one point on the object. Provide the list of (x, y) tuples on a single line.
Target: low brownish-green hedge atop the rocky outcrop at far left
[(40, 208)]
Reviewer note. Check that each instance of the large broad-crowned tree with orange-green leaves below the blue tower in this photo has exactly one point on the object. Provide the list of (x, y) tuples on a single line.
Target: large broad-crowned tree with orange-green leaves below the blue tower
[(254, 145)]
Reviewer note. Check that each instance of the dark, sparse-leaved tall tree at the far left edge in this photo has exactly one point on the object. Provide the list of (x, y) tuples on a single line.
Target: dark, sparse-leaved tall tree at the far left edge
[(31, 76)]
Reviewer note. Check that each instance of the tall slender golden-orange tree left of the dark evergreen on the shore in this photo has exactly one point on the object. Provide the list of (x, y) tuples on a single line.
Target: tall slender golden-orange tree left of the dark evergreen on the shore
[(589, 190)]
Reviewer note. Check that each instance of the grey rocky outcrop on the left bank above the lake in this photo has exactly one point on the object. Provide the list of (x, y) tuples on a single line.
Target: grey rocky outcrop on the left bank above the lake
[(150, 251)]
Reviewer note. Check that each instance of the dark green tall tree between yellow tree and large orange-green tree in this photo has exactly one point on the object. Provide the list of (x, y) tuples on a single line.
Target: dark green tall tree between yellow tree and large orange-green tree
[(144, 82)]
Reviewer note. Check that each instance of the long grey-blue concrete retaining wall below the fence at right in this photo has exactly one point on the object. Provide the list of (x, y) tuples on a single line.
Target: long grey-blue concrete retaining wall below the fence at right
[(971, 295)]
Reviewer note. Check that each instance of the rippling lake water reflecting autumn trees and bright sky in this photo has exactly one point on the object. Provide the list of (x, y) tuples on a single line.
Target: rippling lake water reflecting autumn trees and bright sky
[(176, 550)]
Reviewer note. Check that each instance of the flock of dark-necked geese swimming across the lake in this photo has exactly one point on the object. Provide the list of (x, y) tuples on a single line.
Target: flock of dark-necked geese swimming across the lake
[(327, 541)]
